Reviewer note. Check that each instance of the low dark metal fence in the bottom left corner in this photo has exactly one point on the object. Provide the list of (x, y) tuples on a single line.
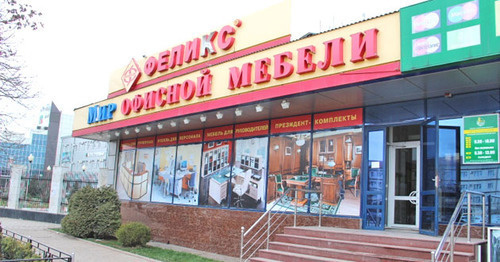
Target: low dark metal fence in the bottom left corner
[(45, 252)]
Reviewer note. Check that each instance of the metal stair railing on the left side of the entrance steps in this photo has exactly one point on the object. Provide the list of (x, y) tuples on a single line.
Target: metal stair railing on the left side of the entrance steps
[(260, 232)]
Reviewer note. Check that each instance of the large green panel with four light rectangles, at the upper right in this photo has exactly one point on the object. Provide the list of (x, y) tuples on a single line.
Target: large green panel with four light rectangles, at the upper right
[(439, 32)]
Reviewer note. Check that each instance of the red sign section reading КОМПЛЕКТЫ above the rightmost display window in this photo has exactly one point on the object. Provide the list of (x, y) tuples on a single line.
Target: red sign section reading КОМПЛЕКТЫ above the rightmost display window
[(350, 117)]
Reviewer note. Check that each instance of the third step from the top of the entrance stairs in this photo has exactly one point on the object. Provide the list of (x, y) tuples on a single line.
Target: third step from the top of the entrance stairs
[(338, 254)]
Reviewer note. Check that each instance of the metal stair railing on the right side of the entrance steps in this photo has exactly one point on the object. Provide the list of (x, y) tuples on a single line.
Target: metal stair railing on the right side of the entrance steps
[(445, 249)]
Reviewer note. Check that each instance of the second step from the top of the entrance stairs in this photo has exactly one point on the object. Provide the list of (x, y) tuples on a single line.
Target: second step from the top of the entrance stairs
[(360, 246)]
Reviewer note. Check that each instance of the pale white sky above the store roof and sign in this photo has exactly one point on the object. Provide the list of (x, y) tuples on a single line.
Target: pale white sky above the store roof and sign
[(71, 59)]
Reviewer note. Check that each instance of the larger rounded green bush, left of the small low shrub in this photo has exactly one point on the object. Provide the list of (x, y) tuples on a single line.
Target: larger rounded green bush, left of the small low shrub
[(93, 212)]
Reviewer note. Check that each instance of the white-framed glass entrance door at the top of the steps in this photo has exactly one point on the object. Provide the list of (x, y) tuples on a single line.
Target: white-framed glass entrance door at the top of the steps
[(404, 185)]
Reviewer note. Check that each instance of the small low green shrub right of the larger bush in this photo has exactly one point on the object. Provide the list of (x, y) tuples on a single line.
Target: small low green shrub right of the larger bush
[(133, 234)]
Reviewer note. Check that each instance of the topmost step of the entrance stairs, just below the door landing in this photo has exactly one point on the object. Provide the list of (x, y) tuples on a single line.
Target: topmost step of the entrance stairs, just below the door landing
[(371, 237)]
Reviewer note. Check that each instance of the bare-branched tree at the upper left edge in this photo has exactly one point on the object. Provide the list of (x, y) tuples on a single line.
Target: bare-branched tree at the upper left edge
[(14, 86)]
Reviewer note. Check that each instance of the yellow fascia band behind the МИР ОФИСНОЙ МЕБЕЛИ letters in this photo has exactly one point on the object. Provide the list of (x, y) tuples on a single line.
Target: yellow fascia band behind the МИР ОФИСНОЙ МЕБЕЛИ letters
[(388, 51)]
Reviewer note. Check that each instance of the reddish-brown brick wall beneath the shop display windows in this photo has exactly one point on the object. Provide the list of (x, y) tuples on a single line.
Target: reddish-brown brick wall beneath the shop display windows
[(209, 229)]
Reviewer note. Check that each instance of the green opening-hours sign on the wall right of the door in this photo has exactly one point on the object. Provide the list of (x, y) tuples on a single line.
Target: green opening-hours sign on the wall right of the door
[(481, 139)]
